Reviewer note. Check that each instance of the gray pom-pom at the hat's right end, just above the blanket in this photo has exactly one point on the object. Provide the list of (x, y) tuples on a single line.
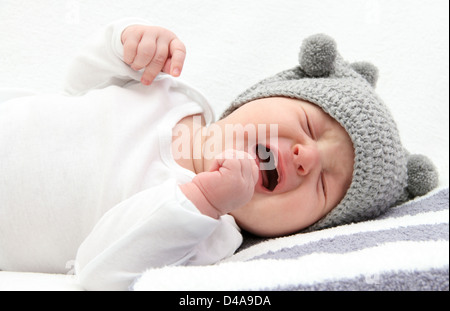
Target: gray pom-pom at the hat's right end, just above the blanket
[(422, 175)]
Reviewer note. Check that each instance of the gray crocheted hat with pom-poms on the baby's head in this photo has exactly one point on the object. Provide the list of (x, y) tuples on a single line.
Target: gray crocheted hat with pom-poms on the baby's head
[(384, 173)]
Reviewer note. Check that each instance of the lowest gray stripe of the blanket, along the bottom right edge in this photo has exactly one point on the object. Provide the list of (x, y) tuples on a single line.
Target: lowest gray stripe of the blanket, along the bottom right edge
[(428, 280)]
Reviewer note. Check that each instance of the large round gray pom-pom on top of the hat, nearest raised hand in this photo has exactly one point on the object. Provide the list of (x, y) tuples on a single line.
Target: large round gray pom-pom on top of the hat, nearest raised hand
[(317, 55)]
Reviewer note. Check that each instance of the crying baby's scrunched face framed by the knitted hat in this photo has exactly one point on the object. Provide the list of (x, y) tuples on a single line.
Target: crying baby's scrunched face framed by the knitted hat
[(314, 166)]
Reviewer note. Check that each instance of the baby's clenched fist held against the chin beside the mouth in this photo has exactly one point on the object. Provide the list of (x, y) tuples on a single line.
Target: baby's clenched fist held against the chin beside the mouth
[(229, 184)]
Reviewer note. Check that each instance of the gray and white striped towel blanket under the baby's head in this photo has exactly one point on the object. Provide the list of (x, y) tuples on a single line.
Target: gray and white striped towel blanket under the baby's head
[(405, 249)]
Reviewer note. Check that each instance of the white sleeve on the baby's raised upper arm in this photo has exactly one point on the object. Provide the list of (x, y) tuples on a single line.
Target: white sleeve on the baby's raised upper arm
[(100, 61)]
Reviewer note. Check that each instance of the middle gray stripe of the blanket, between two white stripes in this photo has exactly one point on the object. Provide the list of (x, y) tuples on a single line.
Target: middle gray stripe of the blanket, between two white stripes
[(358, 241)]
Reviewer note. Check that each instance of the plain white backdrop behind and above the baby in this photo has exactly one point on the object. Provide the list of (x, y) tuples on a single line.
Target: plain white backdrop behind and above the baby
[(235, 43)]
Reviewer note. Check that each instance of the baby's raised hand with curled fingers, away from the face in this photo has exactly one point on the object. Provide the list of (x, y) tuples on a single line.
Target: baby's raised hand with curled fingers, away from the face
[(154, 48)]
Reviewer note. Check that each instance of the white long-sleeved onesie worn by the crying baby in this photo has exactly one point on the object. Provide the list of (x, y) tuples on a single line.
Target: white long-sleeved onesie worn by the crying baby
[(88, 181)]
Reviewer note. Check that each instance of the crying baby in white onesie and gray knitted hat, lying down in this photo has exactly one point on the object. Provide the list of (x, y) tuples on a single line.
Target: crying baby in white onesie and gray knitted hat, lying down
[(127, 169)]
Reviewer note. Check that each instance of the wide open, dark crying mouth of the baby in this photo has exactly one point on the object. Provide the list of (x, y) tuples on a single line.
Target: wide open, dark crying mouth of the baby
[(267, 166)]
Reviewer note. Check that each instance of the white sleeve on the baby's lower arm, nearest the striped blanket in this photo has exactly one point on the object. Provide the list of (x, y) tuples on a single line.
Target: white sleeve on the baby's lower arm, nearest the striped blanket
[(154, 228)]
